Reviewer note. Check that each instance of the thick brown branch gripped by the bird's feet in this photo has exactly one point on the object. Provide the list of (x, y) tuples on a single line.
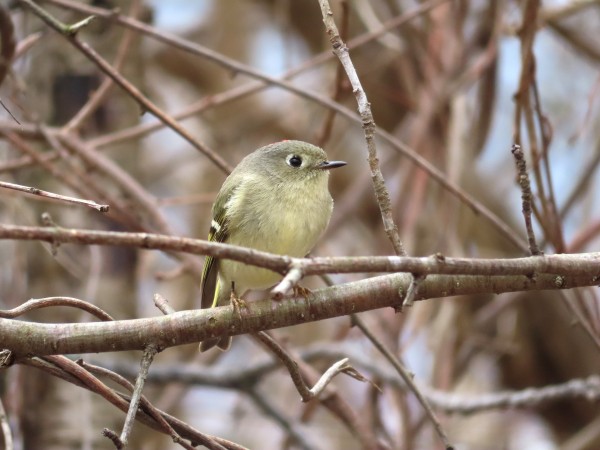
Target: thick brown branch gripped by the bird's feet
[(187, 327)]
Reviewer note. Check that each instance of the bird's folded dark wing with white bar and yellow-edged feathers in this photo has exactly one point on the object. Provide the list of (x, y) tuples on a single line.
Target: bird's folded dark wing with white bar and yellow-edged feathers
[(218, 233)]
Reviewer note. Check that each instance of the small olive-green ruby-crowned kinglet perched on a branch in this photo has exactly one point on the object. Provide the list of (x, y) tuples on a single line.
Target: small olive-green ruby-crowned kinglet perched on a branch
[(276, 200)]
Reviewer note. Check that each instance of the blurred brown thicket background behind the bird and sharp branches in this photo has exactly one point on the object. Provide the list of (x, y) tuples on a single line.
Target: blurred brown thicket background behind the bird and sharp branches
[(459, 83)]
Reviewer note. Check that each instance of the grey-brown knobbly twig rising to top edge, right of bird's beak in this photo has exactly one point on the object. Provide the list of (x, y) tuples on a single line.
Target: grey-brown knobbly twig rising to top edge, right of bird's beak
[(368, 123)]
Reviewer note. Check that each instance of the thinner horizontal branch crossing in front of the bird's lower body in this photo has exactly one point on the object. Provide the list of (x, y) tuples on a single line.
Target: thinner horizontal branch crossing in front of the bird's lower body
[(584, 264)]
